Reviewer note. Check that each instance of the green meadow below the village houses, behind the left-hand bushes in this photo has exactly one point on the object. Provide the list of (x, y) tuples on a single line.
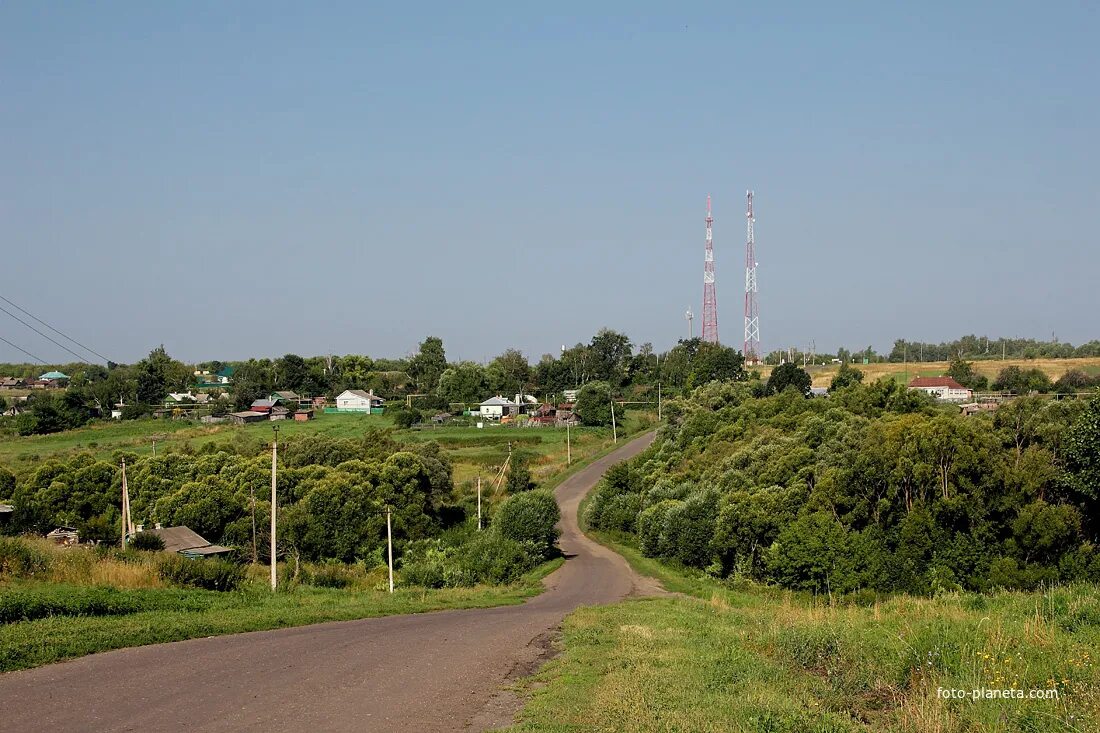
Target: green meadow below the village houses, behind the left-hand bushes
[(474, 452)]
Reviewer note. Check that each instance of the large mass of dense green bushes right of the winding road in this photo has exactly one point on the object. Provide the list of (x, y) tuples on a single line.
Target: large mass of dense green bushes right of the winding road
[(874, 488)]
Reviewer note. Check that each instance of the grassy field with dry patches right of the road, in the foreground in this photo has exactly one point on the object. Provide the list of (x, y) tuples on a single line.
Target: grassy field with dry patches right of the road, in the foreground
[(723, 659)]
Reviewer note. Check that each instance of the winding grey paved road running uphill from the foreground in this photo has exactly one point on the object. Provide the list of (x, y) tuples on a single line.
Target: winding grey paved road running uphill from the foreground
[(424, 673)]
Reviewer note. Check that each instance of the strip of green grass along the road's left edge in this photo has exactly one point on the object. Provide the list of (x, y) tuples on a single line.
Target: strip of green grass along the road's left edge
[(208, 614)]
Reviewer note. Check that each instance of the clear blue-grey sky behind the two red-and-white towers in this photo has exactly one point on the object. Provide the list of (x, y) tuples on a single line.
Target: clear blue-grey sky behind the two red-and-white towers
[(238, 180)]
